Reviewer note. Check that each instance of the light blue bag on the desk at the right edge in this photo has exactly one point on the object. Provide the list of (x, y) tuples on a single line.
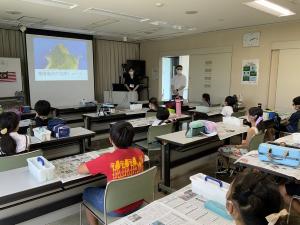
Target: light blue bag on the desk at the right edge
[(279, 154)]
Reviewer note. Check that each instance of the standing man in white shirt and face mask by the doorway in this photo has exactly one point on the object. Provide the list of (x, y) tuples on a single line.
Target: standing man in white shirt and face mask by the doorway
[(178, 83)]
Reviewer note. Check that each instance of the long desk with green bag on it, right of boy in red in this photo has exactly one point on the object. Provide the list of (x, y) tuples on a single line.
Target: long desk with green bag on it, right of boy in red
[(177, 142)]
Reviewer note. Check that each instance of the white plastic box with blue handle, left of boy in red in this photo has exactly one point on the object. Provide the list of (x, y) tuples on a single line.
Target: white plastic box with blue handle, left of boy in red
[(41, 168)]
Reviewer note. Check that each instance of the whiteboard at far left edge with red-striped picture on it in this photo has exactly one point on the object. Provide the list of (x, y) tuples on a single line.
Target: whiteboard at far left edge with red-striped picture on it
[(12, 65)]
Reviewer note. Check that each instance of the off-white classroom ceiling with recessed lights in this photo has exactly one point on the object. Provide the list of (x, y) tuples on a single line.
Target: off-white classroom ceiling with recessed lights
[(212, 15)]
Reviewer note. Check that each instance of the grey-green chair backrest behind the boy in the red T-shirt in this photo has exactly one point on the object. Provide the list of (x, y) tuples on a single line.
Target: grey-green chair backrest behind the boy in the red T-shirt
[(123, 192)]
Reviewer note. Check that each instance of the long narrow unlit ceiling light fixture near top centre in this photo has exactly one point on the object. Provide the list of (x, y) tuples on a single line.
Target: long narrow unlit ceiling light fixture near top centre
[(104, 12)]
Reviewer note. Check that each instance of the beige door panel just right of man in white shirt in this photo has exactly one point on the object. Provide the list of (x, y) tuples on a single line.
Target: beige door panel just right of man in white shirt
[(209, 73)]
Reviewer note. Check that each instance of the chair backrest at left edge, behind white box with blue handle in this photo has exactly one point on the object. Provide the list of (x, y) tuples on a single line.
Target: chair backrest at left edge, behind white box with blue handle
[(17, 161)]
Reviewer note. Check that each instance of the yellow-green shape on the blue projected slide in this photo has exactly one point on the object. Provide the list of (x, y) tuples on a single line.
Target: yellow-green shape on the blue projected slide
[(60, 58)]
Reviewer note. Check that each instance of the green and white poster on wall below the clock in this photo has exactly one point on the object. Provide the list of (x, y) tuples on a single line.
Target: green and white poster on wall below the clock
[(250, 71)]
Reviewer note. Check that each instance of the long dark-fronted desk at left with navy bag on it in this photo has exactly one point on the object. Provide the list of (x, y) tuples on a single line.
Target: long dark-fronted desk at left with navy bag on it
[(56, 147)]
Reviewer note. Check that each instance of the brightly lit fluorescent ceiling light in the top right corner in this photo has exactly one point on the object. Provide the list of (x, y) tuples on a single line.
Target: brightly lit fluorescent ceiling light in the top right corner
[(270, 7)]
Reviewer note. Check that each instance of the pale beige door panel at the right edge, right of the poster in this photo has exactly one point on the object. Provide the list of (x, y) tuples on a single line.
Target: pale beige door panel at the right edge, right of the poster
[(288, 79)]
